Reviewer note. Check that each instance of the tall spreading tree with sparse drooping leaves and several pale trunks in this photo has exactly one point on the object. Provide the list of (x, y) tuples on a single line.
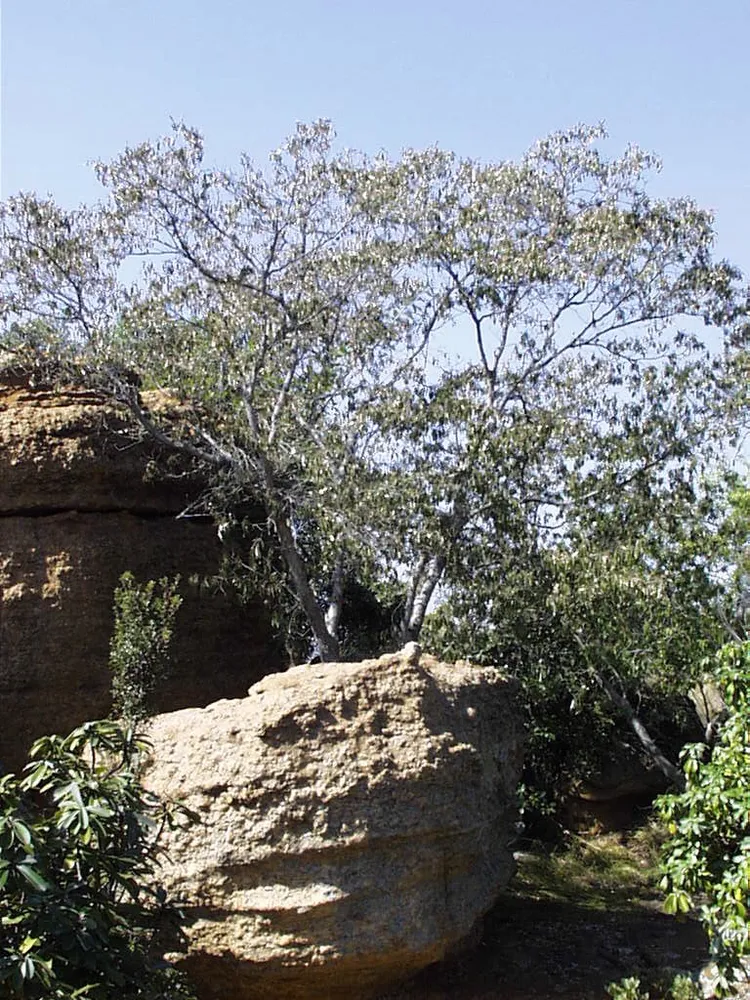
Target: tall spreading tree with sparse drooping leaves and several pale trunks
[(295, 314)]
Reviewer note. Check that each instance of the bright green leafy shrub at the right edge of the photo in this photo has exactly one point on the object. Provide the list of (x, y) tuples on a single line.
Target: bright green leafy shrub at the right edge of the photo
[(707, 862)]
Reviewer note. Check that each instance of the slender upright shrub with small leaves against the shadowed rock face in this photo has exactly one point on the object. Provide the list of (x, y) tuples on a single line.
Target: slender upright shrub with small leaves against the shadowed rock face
[(139, 651)]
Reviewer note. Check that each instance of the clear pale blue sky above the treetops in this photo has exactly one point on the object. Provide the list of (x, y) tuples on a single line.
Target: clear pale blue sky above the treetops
[(83, 78)]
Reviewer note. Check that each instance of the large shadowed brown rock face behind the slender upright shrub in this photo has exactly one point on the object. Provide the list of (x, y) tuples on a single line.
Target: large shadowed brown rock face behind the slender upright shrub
[(80, 503)]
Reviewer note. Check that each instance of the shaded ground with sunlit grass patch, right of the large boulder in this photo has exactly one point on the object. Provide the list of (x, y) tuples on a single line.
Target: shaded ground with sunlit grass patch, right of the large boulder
[(573, 921)]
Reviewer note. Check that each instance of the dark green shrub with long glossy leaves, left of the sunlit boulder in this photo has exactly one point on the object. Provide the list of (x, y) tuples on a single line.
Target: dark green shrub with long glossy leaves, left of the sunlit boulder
[(78, 848)]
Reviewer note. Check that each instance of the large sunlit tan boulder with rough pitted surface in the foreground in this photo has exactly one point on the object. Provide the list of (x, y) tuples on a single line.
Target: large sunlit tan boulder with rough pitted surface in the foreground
[(354, 824)]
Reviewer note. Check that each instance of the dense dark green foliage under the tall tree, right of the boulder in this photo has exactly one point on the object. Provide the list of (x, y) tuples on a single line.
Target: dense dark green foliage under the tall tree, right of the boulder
[(582, 622)]
